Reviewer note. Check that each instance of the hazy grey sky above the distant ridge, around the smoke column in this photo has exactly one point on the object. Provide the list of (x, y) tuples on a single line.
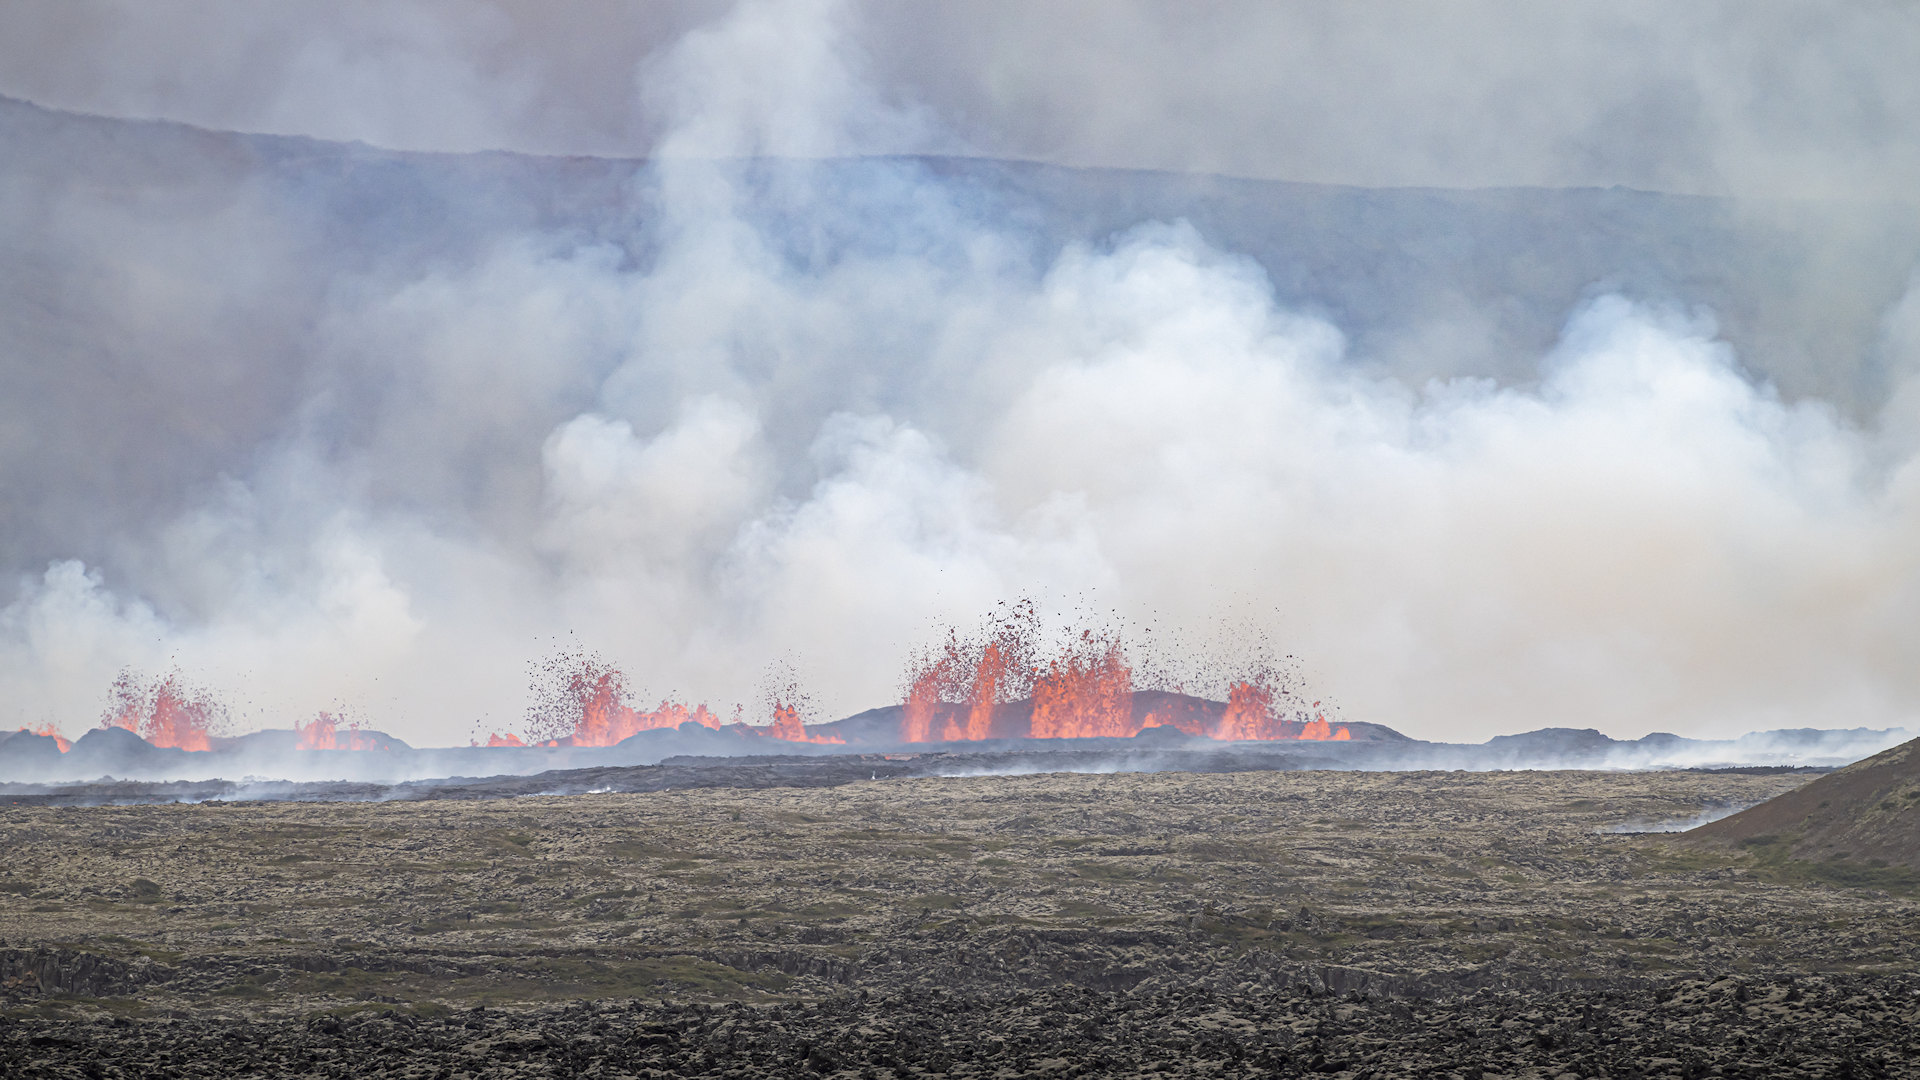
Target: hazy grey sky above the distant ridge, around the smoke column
[(1716, 97)]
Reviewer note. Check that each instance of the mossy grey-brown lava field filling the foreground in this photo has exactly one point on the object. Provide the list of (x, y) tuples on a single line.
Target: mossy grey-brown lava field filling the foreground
[(1044, 925)]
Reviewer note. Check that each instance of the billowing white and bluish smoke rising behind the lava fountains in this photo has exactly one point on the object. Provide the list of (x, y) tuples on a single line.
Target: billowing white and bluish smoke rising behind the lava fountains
[(763, 401)]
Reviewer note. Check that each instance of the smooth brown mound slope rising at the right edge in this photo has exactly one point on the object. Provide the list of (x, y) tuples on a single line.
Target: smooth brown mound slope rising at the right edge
[(1867, 812)]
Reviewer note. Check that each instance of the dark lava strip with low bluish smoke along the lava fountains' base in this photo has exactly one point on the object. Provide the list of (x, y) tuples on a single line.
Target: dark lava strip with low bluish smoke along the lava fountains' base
[(30, 762)]
